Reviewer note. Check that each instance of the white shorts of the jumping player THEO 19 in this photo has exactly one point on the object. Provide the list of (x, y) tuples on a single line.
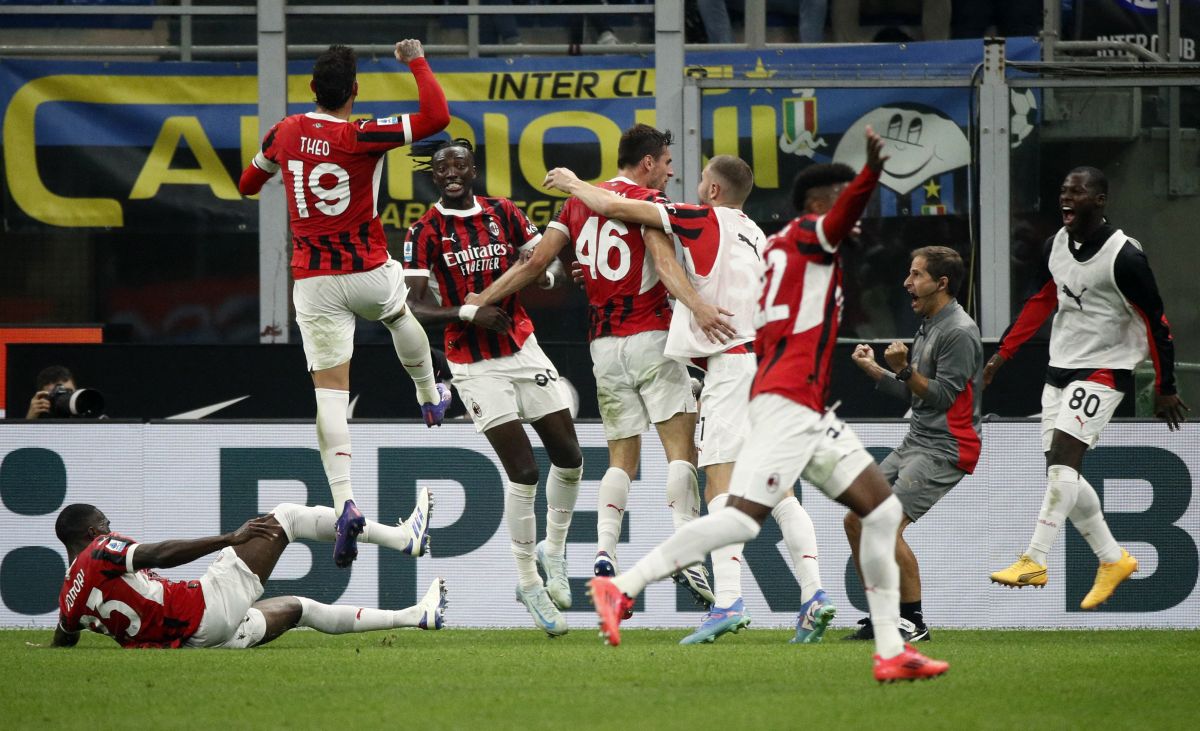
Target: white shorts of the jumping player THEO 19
[(328, 304)]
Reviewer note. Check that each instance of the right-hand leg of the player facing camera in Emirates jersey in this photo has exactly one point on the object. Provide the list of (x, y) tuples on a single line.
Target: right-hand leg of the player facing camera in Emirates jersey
[(557, 434)]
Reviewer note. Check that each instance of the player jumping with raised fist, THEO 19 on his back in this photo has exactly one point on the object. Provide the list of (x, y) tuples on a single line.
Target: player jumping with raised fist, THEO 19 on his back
[(340, 256)]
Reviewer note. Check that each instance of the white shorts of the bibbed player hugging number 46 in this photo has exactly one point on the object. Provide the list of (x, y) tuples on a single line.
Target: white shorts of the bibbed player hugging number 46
[(725, 408)]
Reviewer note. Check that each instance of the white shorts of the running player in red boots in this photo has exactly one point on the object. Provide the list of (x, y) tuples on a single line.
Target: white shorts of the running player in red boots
[(789, 441)]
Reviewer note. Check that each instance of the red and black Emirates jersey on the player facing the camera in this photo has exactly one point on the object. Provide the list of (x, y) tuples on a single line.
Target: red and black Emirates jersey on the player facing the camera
[(464, 251)]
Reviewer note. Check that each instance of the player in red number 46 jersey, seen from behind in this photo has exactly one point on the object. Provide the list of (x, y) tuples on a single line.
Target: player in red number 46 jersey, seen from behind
[(638, 385)]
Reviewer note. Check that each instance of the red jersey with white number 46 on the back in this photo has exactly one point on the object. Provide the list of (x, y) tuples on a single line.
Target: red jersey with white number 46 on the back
[(625, 293)]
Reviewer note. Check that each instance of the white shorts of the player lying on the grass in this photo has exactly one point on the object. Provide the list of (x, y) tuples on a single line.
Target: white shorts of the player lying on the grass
[(230, 590)]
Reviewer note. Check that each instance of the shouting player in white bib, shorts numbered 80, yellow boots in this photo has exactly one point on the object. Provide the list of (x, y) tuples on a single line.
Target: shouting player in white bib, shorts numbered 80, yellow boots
[(1109, 320)]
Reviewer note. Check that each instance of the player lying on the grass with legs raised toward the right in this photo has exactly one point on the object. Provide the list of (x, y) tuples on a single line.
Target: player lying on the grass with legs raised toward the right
[(111, 586)]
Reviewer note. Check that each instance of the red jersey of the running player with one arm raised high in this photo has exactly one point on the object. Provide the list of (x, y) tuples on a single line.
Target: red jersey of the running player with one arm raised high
[(801, 304)]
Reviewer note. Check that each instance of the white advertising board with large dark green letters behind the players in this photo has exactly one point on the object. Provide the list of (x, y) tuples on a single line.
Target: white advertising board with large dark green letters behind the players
[(181, 481)]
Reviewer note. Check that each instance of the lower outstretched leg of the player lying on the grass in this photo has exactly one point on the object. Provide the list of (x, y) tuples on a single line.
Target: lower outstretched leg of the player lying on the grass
[(283, 614)]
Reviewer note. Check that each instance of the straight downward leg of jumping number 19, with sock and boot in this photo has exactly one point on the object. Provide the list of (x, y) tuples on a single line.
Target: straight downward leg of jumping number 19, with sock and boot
[(333, 391)]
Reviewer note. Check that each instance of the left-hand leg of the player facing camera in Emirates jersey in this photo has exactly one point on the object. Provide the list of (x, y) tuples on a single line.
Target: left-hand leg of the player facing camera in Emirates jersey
[(513, 448)]
